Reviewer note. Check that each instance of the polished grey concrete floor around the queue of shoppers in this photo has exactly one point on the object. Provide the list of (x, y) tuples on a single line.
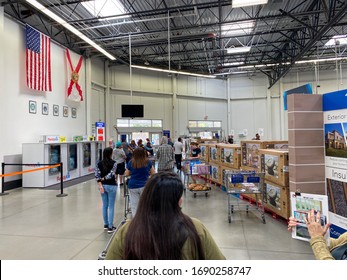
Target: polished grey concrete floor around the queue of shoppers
[(35, 224)]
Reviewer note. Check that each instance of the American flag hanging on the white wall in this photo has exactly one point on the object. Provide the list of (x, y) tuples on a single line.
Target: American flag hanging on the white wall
[(38, 60)]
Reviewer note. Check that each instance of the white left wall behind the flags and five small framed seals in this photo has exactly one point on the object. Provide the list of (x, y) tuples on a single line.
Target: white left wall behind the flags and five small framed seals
[(17, 124)]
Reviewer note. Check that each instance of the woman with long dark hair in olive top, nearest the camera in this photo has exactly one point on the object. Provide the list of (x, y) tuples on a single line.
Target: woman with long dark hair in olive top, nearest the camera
[(160, 230)]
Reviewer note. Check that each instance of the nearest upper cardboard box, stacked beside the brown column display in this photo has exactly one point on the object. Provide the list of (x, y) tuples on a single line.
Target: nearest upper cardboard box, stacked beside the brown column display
[(276, 166)]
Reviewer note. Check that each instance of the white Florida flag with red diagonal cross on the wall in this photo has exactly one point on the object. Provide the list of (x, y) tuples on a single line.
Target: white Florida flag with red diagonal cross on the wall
[(74, 91)]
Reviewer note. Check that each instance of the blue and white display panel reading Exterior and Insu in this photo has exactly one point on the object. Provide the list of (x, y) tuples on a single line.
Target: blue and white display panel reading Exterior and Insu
[(335, 131)]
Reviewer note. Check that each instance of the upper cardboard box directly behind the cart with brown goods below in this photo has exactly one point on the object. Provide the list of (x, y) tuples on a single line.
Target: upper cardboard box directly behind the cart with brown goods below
[(230, 155)]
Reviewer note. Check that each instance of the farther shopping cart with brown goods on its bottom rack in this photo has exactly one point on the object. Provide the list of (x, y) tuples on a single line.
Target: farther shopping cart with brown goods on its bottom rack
[(195, 176)]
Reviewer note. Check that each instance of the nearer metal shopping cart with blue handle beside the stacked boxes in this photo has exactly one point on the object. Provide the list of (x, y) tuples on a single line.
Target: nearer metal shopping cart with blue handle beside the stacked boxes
[(245, 182)]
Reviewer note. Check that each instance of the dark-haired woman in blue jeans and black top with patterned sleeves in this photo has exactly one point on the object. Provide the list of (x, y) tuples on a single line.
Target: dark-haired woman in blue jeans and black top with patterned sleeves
[(105, 176)]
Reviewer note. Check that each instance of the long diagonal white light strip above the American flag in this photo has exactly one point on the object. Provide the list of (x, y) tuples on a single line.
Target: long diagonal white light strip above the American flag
[(68, 26)]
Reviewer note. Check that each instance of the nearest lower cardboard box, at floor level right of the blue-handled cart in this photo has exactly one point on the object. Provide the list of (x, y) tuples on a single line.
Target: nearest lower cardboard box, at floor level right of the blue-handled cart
[(277, 199)]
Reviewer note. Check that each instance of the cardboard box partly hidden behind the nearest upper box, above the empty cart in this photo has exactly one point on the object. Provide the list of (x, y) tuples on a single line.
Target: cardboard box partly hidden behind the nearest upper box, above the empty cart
[(250, 157)]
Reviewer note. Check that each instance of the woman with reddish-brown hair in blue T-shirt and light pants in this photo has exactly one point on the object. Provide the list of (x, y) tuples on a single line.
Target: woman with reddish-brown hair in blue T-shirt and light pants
[(139, 168)]
